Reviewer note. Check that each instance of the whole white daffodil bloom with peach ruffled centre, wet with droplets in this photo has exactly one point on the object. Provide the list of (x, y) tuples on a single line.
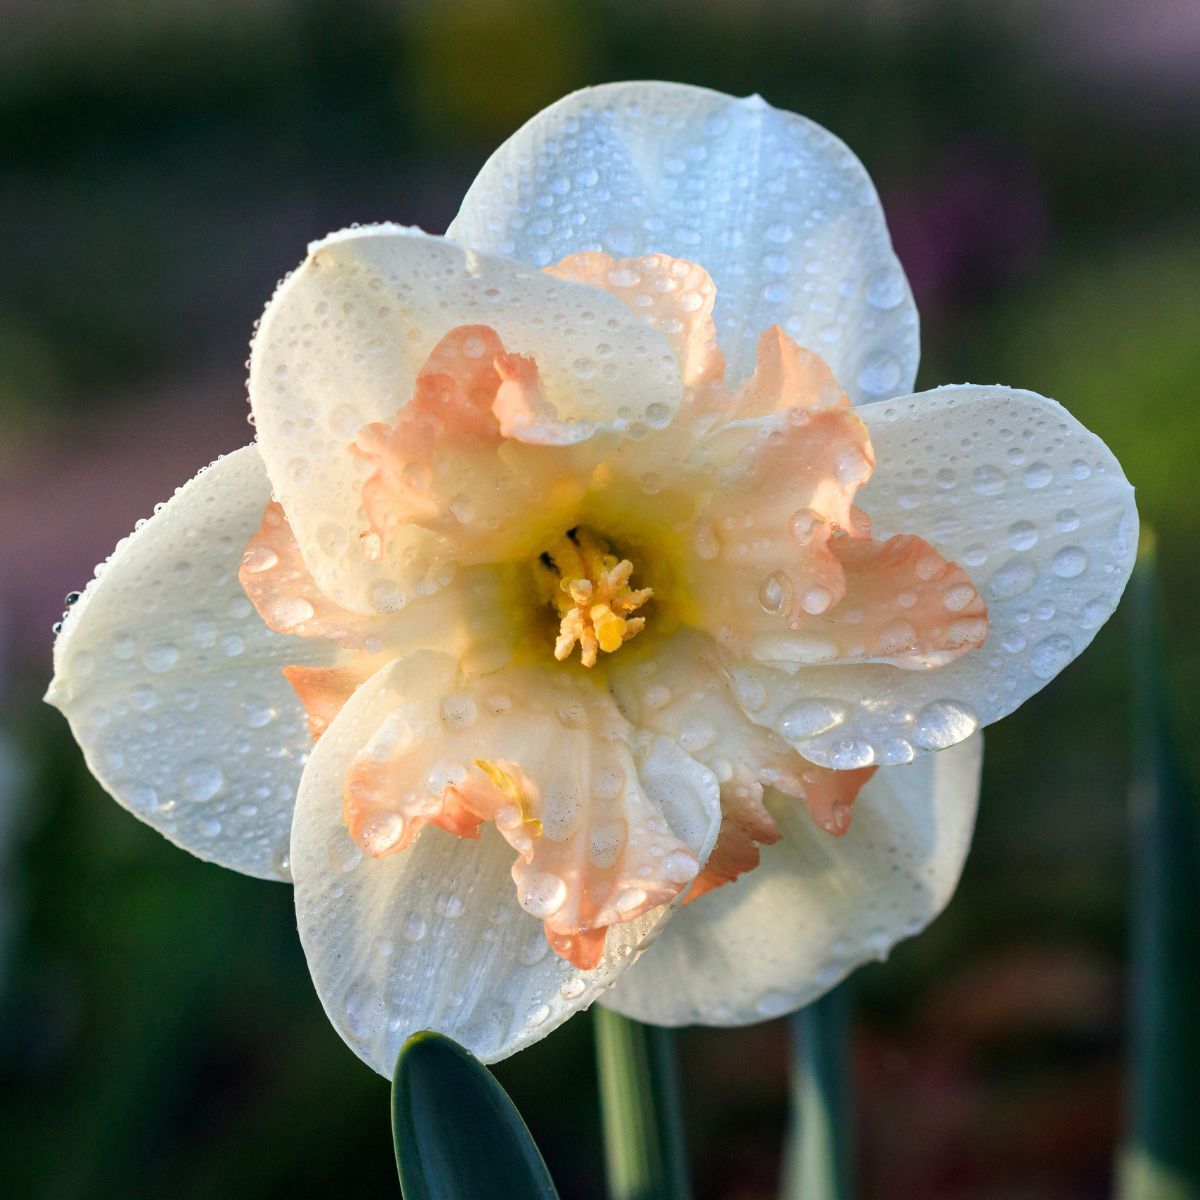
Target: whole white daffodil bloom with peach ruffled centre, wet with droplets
[(603, 535)]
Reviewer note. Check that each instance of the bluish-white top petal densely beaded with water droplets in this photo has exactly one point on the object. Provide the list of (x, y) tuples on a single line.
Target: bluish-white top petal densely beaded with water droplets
[(778, 211)]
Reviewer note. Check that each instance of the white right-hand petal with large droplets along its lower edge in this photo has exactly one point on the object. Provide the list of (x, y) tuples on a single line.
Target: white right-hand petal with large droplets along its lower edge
[(1035, 507)]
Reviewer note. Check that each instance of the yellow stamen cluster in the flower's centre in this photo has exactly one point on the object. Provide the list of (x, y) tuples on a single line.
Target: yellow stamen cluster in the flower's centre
[(590, 590)]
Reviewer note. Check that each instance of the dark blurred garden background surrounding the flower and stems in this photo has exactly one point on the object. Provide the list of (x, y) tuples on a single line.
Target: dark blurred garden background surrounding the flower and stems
[(164, 164)]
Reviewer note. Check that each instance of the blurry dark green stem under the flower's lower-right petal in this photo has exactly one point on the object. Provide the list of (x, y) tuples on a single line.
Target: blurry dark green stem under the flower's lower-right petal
[(817, 1165)]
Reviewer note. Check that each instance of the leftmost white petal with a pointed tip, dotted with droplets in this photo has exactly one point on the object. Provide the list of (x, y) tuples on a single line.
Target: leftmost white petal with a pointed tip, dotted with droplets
[(172, 682)]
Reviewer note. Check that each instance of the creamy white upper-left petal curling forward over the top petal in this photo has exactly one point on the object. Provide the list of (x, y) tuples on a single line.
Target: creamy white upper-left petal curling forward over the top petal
[(343, 341)]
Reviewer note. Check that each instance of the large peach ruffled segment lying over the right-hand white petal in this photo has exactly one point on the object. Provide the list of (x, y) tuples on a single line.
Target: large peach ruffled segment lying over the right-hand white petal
[(784, 566)]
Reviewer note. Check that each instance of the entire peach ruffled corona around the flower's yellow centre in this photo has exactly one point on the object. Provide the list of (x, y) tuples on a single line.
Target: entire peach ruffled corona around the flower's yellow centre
[(775, 562)]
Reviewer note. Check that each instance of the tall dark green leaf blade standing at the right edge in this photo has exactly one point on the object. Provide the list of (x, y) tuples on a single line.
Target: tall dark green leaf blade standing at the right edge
[(1161, 1160)]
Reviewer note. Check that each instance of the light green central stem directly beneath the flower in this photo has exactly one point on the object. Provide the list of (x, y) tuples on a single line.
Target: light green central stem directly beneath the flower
[(640, 1109)]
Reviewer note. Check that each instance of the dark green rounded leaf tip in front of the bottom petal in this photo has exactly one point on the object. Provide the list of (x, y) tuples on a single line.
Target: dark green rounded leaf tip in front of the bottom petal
[(457, 1132)]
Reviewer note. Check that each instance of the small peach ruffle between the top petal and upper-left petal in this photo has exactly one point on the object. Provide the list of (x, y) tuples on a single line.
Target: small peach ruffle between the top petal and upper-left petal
[(673, 295)]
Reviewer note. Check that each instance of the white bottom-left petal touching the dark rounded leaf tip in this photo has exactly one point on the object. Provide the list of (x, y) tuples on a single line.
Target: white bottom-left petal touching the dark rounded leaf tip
[(434, 938)]
